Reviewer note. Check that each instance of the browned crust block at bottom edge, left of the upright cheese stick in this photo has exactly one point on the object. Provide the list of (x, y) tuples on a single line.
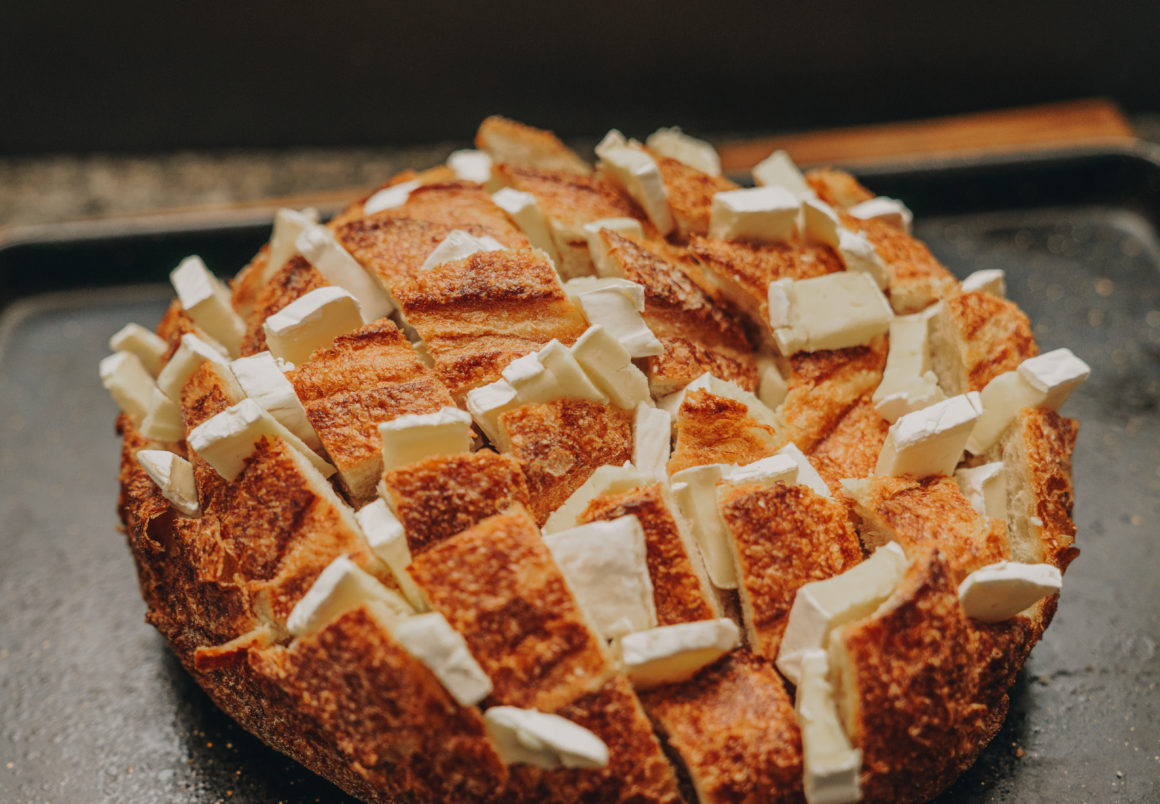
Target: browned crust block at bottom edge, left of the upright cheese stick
[(735, 729)]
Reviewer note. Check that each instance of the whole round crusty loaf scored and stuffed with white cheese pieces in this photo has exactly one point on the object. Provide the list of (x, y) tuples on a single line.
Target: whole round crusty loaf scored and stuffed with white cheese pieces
[(524, 480)]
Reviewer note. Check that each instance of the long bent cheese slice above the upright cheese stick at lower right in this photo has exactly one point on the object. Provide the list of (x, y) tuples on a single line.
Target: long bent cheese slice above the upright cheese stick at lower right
[(821, 607)]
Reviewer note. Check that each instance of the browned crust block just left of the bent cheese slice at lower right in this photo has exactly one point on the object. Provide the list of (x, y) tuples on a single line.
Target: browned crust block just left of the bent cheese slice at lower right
[(782, 538)]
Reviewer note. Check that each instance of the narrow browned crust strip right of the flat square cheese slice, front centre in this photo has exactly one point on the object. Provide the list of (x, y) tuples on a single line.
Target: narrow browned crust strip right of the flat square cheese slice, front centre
[(680, 591)]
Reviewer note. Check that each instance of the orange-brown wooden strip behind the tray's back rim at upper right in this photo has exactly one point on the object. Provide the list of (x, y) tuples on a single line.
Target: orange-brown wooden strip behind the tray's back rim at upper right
[(1087, 122)]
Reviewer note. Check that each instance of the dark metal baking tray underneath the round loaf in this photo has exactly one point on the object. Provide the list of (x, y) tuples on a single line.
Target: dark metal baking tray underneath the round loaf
[(93, 707)]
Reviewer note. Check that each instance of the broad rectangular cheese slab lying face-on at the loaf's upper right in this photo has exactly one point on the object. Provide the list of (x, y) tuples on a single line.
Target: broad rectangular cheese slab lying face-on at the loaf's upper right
[(835, 312)]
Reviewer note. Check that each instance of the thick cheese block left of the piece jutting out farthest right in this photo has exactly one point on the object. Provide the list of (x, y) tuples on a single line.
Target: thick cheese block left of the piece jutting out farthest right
[(931, 441)]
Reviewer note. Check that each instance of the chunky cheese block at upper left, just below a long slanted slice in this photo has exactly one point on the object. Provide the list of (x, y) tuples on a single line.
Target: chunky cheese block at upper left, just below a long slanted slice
[(311, 322)]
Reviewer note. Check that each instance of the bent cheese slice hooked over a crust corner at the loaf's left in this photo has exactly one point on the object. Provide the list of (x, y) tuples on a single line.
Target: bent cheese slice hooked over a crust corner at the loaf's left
[(228, 439)]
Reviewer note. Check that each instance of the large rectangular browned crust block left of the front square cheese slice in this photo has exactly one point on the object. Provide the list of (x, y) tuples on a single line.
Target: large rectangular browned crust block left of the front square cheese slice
[(498, 586)]
